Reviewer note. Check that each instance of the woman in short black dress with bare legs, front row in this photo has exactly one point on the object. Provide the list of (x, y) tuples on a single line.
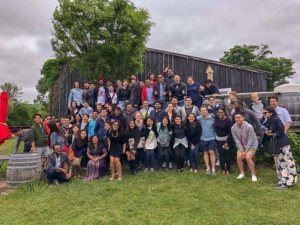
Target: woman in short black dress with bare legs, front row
[(116, 146)]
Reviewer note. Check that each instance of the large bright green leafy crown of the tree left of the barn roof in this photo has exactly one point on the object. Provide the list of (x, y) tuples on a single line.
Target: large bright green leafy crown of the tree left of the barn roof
[(100, 36)]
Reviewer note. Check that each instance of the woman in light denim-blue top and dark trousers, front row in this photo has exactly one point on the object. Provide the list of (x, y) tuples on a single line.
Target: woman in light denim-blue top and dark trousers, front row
[(164, 137)]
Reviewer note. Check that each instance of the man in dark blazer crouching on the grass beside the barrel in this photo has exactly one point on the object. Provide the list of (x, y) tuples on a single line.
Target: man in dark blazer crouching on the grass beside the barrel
[(59, 167)]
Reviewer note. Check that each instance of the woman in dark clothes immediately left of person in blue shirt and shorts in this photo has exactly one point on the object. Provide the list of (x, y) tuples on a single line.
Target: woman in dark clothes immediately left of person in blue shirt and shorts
[(194, 131)]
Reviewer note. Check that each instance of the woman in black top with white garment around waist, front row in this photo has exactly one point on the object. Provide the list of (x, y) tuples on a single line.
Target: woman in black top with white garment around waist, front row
[(179, 138)]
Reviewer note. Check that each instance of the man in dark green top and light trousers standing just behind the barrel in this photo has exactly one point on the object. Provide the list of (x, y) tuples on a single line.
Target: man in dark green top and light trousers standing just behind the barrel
[(39, 137)]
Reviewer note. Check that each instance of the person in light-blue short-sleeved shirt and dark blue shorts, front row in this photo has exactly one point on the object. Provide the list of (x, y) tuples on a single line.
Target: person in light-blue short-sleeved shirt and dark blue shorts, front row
[(207, 140)]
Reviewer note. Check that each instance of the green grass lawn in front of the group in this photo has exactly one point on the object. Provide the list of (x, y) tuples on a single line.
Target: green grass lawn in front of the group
[(158, 198)]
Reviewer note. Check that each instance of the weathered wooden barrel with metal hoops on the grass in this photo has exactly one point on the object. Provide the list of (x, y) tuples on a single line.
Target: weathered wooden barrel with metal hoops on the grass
[(23, 168)]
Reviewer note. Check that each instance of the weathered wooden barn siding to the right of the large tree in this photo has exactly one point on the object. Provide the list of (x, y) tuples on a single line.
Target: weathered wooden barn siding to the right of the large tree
[(239, 78)]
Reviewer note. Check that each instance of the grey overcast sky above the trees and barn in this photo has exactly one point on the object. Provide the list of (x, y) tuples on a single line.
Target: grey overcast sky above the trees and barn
[(203, 28)]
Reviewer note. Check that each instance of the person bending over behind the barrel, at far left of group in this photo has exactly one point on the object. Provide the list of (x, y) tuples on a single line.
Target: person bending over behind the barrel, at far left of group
[(22, 135)]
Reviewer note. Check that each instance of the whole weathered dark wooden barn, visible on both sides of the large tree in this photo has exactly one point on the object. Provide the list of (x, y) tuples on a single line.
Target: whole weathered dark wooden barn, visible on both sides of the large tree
[(240, 79)]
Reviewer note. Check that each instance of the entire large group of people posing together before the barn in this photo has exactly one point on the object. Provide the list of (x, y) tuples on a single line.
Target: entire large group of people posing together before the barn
[(160, 123)]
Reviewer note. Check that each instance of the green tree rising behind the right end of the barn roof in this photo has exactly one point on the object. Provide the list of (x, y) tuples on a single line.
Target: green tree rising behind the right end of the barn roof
[(257, 57)]
